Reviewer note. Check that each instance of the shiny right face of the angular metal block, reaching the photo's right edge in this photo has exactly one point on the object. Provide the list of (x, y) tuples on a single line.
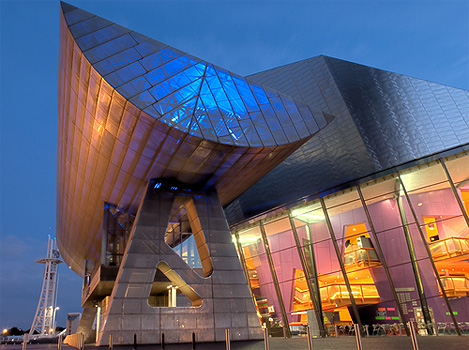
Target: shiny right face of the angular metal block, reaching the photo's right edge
[(401, 118)]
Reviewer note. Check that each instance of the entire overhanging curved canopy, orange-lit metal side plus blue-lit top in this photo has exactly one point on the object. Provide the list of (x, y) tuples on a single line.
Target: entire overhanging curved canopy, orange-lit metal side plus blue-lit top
[(109, 145)]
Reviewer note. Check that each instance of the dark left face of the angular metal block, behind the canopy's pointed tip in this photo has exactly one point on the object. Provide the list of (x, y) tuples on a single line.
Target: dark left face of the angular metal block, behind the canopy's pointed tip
[(337, 154)]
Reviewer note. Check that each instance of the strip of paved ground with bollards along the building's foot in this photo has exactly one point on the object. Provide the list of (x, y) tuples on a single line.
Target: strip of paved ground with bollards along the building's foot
[(370, 343)]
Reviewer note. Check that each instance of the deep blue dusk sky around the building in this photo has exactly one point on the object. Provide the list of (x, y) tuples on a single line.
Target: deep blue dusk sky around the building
[(424, 39)]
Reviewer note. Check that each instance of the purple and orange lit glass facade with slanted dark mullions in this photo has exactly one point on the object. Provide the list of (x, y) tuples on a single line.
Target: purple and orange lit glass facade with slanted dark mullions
[(383, 253)]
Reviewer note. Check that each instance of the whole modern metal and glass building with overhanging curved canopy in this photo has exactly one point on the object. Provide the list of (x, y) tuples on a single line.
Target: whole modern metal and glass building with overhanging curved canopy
[(346, 190)]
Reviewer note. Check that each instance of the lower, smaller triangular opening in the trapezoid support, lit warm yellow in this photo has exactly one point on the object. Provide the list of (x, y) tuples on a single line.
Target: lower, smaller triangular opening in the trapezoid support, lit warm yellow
[(170, 290)]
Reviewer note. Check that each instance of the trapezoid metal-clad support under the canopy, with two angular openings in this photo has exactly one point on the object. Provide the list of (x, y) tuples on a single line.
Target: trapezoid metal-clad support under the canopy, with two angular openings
[(220, 298)]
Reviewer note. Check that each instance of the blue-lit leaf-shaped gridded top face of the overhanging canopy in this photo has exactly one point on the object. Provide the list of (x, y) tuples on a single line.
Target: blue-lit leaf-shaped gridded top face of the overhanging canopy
[(185, 92)]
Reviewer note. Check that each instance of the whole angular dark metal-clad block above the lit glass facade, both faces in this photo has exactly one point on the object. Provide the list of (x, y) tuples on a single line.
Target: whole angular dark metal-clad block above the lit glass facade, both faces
[(382, 119)]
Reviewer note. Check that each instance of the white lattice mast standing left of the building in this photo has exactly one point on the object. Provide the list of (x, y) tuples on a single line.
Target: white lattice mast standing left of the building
[(44, 321)]
